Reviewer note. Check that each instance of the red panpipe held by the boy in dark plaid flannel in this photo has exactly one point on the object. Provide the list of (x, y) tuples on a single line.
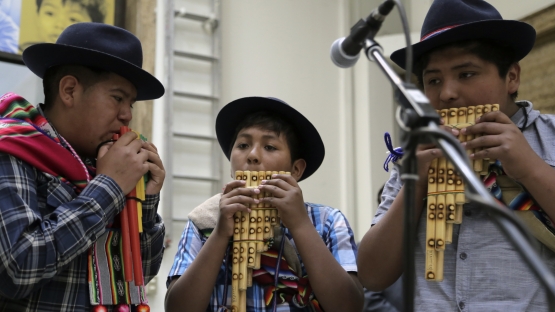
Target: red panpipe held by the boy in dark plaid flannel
[(131, 227)]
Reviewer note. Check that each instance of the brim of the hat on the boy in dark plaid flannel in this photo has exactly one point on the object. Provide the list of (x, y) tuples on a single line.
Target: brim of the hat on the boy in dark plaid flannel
[(42, 56)]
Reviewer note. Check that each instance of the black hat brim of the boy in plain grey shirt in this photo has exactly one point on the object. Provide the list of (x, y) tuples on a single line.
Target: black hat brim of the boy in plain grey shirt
[(518, 35)]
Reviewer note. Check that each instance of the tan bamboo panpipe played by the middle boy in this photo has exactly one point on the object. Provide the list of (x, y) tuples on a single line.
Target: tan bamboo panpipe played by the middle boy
[(252, 234)]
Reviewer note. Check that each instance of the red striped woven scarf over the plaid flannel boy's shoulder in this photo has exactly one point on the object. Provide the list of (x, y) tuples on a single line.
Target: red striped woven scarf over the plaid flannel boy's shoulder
[(27, 135)]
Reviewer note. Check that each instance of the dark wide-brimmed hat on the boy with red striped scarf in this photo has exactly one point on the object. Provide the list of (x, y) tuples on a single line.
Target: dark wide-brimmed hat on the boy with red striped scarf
[(98, 45)]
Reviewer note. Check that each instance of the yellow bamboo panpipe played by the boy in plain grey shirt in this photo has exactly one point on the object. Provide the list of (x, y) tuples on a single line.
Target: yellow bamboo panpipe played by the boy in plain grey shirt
[(445, 198)]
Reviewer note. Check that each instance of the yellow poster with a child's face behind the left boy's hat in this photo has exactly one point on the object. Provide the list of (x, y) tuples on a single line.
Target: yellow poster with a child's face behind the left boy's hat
[(27, 22)]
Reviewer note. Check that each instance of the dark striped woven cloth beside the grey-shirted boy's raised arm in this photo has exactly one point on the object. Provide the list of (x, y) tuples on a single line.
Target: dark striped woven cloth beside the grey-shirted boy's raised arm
[(522, 202)]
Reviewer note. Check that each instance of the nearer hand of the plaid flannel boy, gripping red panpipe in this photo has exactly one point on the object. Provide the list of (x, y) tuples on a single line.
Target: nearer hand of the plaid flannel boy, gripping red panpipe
[(125, 161)]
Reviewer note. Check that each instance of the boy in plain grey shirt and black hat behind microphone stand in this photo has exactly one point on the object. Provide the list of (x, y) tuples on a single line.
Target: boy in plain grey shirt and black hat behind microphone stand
[(469, 56)]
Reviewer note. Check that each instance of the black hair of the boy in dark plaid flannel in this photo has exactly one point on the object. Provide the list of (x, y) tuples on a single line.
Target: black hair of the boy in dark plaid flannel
[(86, 75)]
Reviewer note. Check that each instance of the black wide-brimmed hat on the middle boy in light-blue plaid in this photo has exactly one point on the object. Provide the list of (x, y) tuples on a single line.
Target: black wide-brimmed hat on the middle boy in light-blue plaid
[(231, 115)]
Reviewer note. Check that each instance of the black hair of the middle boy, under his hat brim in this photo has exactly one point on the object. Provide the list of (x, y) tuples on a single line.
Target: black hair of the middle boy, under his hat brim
[(272, 122)]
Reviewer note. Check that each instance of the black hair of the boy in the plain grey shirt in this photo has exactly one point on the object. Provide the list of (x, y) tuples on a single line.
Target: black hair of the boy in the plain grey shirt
[(499, 54)]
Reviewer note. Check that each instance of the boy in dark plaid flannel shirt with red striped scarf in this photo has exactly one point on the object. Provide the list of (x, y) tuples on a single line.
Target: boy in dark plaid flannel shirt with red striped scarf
[(60, 186)]
